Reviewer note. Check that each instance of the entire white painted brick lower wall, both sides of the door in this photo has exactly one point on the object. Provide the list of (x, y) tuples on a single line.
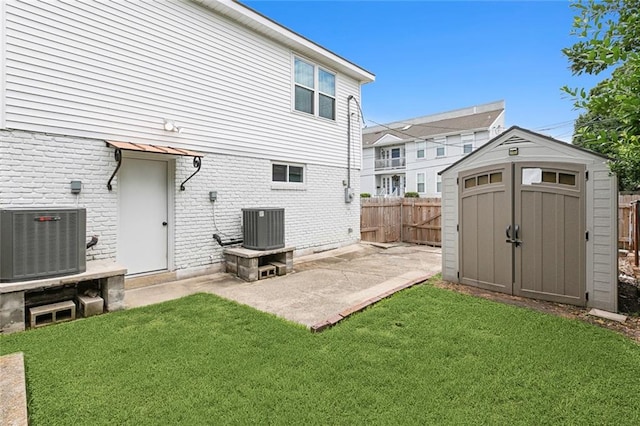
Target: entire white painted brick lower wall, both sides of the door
[(36, 170)]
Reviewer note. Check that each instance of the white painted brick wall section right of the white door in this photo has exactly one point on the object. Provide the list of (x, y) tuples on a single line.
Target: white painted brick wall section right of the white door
[(316, 218)]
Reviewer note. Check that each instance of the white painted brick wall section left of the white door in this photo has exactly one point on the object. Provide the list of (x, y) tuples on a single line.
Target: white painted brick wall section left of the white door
[(36, 170)]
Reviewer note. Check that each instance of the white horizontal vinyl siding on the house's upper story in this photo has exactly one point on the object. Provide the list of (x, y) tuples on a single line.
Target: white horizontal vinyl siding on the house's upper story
[(116, 70)]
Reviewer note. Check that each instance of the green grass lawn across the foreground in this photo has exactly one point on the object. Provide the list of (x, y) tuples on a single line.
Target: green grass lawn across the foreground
[(426, 355)]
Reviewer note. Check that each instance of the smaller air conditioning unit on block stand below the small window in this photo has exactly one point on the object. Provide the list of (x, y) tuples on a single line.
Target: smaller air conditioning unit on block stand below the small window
[(263, 228)]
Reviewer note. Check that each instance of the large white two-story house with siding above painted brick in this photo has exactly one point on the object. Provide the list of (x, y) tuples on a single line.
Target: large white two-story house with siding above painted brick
[(257, 111)]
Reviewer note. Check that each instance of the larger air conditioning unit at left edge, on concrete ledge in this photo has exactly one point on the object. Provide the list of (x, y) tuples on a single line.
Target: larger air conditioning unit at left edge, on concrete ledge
[(38, 243)]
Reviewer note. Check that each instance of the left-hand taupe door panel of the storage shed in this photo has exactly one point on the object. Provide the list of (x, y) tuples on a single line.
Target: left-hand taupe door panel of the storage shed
[(485, 212)]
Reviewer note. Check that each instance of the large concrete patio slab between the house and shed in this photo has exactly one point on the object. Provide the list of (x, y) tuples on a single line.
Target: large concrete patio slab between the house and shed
[(321, 287)]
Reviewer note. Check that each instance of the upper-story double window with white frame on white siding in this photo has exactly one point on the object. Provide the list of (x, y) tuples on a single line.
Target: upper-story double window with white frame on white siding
[(314, 89)]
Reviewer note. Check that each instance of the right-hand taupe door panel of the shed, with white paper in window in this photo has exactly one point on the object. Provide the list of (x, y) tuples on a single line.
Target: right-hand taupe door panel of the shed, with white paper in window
[(549, 210)]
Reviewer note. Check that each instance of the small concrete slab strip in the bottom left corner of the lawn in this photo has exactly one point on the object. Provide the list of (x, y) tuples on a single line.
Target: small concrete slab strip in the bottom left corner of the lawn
[(13, 394)]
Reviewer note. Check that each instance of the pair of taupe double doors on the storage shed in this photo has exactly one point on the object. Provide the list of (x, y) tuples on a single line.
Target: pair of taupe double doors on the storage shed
[(522, 230)]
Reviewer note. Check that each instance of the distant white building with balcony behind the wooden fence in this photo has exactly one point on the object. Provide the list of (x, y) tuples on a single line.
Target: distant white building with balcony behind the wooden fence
[(407, 155)]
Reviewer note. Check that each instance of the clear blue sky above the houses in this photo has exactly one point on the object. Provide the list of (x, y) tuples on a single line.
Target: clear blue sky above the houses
[(430, 57)]
